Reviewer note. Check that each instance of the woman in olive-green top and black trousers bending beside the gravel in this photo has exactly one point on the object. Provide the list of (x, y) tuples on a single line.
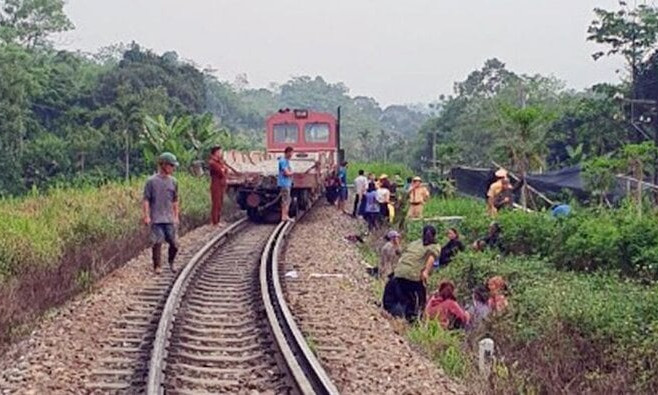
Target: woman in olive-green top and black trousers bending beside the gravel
[(406, 293)]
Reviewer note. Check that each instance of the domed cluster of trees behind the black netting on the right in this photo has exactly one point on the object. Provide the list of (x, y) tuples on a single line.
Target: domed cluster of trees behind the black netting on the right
[(524, 122)]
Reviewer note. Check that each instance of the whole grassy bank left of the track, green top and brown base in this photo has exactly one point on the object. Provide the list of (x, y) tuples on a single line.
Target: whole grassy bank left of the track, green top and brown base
[(55, 245)]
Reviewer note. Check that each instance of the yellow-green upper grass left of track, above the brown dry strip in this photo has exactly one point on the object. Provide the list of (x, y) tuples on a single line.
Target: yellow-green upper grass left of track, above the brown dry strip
[(37, 230)]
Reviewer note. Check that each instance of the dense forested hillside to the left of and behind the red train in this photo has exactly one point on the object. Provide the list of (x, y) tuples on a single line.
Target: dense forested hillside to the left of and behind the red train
[(73, 118)]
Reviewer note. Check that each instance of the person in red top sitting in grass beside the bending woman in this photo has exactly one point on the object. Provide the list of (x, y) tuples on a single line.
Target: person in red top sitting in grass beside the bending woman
[(443, 307)]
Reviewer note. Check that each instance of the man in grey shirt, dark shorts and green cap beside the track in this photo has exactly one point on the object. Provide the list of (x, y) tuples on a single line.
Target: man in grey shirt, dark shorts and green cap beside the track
[(161, 210)]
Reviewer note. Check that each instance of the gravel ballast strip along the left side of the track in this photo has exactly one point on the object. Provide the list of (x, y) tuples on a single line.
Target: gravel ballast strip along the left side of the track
[(62, 350)]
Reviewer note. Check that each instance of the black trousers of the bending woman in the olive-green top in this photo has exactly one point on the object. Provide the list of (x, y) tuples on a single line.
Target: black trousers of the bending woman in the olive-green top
[(405, 298)]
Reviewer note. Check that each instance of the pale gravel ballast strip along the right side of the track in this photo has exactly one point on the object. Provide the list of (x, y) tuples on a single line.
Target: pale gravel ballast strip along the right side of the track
[(333, 301)]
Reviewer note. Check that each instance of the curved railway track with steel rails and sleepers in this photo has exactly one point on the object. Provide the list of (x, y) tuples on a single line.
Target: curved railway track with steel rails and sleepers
[(222, 326)]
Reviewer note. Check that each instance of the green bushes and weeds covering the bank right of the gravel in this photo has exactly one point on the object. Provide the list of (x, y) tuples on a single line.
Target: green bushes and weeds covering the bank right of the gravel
[(583, 314)]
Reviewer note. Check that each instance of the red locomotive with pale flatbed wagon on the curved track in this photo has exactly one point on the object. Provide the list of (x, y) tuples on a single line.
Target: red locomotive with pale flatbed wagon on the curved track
[(314, 136)]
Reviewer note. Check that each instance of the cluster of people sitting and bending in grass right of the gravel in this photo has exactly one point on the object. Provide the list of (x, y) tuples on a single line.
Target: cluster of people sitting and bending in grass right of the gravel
[(406, 270)]
